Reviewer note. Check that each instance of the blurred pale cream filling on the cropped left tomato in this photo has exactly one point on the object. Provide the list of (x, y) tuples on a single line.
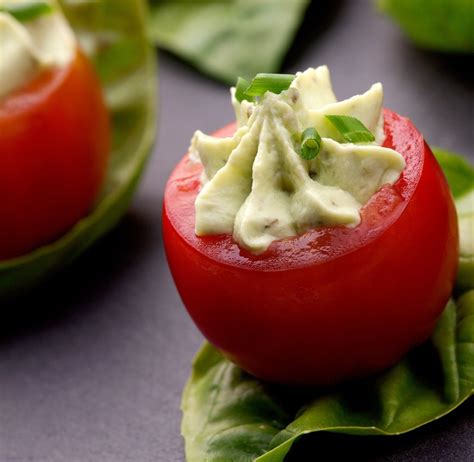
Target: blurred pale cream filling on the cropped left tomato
[(34, 36)]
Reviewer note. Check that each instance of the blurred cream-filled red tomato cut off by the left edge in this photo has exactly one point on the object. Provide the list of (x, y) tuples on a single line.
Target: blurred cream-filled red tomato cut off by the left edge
[(54, 128)]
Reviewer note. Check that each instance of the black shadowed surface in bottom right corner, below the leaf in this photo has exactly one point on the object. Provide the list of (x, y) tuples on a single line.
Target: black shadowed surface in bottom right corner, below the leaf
[(416, 446)]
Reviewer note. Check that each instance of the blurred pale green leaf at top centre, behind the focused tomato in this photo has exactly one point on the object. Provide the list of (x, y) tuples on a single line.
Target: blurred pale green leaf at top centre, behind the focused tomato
[(227, 39)]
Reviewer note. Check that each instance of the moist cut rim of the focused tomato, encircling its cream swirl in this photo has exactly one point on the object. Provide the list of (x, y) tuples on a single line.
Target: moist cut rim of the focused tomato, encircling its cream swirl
[(410, 177)]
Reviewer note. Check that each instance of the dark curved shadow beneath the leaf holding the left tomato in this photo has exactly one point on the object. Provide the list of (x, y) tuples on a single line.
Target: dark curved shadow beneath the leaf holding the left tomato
[(90, 275)]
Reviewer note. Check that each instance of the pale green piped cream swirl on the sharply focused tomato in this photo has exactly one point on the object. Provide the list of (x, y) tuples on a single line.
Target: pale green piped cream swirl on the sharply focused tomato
[(257, 187)]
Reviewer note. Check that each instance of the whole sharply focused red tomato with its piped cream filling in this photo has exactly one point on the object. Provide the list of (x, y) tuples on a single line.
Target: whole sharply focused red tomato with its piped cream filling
[(322, 299)]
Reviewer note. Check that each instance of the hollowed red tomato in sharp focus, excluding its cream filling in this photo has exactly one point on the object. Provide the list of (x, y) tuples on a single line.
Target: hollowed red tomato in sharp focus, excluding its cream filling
[(334, 303)]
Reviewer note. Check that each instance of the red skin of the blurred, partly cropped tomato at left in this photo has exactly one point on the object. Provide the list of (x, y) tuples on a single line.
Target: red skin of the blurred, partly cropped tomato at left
[(54, 145)]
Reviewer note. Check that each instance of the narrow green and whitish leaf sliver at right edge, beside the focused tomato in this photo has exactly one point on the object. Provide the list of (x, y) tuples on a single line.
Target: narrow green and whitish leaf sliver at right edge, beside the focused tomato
[(460, 175)]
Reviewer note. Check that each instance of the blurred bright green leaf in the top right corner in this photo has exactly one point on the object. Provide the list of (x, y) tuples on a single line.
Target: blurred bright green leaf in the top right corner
[(434, 24)]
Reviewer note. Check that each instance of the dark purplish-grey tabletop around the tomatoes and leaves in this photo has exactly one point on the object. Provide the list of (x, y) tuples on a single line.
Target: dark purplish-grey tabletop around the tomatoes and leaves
[(92, 366)]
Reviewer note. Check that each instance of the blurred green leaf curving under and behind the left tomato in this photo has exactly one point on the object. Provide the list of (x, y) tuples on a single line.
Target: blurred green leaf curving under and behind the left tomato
[(113, 33)]
